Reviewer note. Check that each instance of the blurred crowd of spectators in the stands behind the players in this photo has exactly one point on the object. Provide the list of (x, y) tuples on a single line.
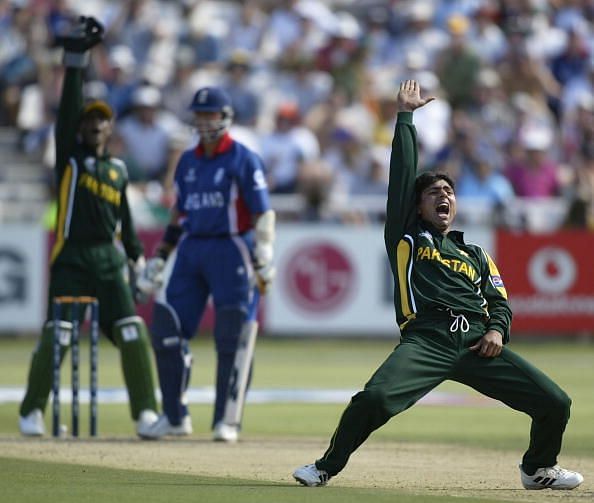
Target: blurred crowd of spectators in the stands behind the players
[(313, 85)]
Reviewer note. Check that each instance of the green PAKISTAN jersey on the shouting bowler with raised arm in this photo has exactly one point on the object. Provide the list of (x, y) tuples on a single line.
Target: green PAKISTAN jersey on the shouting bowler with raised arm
[(434, 271)]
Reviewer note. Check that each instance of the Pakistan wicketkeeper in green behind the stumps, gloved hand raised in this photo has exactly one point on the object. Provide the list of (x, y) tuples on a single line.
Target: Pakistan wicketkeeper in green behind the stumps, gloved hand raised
[(92, 209)]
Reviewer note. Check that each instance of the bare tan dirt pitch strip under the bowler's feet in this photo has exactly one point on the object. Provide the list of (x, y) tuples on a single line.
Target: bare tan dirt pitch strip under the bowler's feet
[(415, 468)]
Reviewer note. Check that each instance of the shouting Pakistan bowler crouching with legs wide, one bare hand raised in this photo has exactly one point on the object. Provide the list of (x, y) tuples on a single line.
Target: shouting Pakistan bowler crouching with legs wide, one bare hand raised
[(452, 309)]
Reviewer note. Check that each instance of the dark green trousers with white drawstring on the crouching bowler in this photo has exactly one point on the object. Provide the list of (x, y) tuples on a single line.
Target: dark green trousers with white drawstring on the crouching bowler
[(432, 350)]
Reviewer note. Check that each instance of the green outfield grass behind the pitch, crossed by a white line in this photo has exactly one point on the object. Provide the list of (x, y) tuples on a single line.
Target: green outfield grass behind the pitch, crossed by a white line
[(314, 363)]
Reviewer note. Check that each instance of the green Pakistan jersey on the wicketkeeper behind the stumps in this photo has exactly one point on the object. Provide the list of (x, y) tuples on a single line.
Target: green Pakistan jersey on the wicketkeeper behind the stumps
[(92, 203)]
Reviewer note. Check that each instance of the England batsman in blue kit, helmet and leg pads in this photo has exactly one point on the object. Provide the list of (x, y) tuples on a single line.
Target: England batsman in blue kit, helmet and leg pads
[(222, 231)]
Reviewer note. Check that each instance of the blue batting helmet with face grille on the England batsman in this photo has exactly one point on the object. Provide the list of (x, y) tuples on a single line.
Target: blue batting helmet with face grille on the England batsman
[(212, 99)]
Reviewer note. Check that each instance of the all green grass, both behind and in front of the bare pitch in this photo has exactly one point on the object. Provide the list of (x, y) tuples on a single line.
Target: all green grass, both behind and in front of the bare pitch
[(290, 363)]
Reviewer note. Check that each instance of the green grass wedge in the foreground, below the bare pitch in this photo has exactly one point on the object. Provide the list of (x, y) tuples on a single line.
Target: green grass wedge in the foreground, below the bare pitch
[(26, 481)]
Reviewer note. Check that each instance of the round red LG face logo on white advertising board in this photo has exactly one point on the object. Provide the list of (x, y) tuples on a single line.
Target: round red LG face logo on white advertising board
[(319, 277)]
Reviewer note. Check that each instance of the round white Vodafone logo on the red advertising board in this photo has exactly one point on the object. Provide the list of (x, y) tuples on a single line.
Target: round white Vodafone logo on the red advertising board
[(552, 270)]
